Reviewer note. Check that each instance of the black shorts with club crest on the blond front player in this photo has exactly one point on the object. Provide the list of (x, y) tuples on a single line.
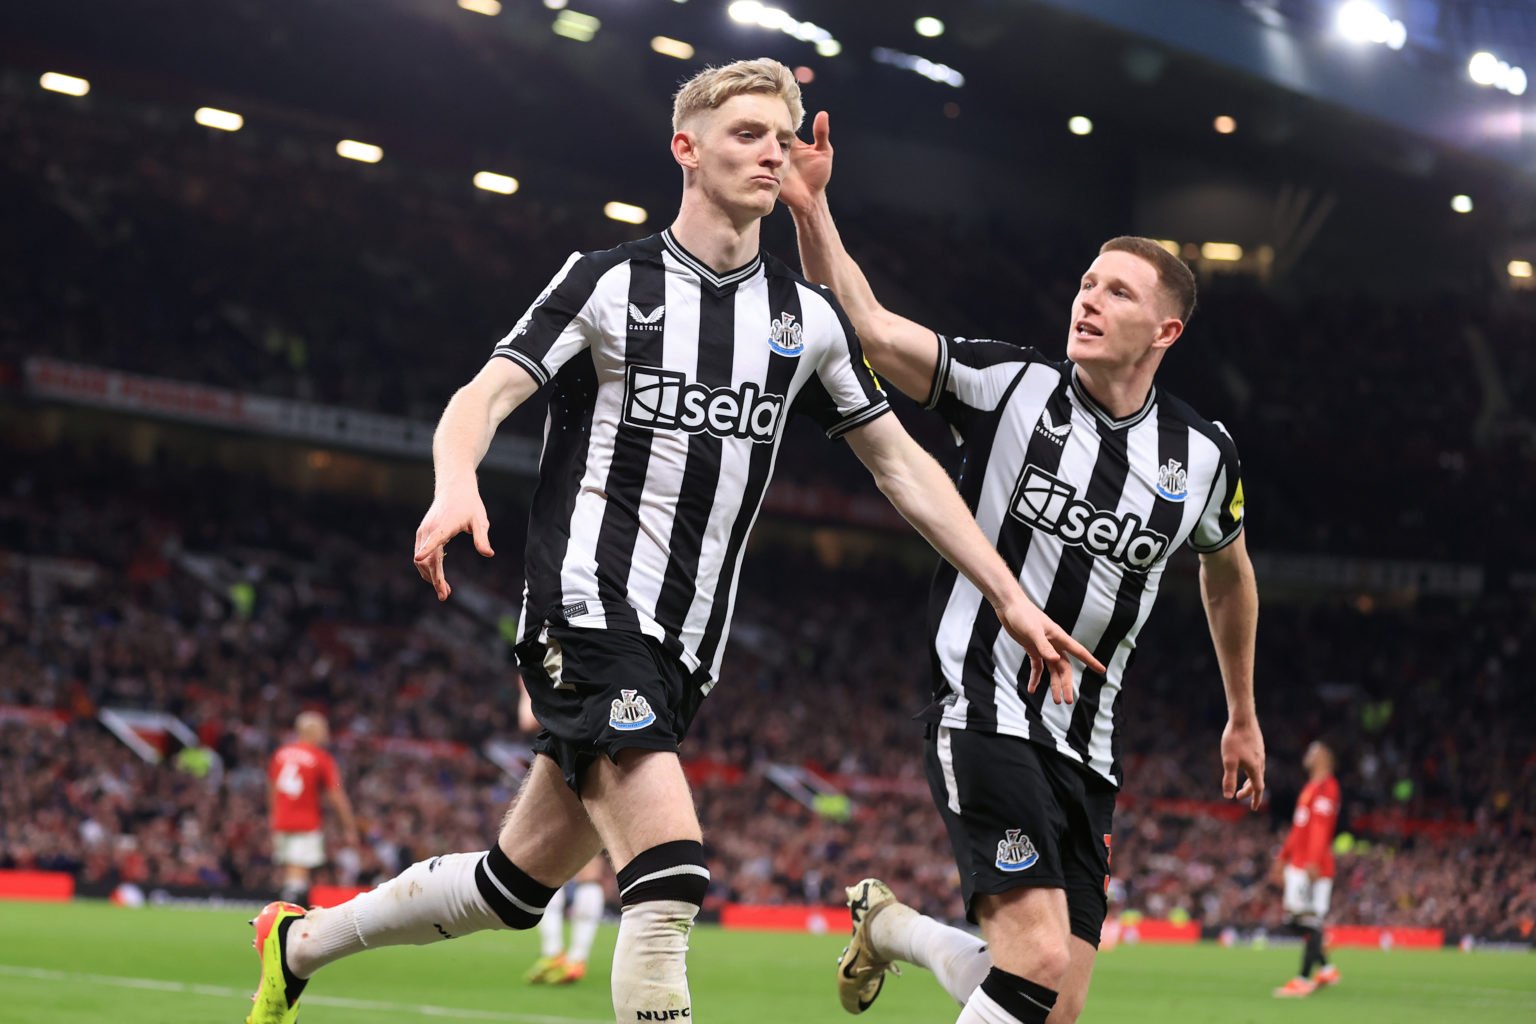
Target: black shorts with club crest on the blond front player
[(600, 692)]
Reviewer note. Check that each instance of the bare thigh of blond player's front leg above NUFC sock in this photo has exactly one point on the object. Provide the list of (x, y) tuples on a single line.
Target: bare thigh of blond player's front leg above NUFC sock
[(640, 801)]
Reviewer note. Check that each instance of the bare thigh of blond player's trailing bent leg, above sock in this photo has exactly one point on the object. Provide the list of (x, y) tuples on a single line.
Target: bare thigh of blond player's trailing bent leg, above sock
[(548, 833)]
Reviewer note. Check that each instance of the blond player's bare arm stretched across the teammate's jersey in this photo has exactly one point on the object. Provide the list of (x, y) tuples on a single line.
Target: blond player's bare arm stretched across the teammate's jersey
[(927, 498)]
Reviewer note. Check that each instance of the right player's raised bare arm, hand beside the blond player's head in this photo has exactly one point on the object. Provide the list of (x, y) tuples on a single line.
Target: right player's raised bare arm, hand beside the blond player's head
[(901, 351)]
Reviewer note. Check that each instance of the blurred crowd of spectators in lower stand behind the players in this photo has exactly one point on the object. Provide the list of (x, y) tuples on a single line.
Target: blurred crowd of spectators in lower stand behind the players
[(234, 607)]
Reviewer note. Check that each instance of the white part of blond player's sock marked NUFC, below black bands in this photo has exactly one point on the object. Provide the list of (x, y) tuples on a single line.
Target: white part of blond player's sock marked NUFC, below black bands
[(650, 971)]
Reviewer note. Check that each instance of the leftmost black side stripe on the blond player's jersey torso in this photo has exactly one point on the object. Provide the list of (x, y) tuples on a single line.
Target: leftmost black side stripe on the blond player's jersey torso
[(574, 395)]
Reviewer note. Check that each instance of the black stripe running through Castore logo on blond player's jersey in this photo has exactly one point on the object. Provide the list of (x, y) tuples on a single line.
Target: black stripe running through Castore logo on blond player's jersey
[(632, 455)]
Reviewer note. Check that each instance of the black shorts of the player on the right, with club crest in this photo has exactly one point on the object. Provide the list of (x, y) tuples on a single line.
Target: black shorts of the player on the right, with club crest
[(1022, 816)]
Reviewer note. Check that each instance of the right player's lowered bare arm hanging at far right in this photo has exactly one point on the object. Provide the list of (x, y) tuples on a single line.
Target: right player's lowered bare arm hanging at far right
[(1231, 598)]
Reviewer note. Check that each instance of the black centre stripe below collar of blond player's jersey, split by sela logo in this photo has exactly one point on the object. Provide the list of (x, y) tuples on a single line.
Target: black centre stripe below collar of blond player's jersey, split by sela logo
[(701, 475)]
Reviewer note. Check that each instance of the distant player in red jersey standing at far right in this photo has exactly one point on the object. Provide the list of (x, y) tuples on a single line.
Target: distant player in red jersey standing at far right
[(1306, 867)]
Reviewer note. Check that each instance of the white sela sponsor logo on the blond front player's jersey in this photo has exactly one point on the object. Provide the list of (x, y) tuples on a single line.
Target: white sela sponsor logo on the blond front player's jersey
[(666, 400)]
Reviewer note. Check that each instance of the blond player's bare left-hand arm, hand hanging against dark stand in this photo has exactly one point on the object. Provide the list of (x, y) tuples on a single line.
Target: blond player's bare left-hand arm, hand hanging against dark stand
[(465, 434)]
